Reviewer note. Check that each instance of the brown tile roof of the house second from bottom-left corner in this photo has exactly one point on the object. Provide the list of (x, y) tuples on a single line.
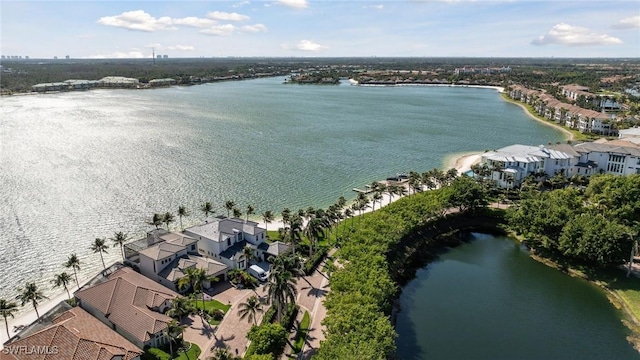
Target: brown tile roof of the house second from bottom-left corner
[(127, 299)]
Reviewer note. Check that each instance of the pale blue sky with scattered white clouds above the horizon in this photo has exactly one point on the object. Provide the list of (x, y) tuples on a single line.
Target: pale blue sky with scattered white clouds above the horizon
[(327, 28)]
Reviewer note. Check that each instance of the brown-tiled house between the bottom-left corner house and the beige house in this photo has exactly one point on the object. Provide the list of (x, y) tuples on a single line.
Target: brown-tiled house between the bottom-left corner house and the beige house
[(130, 304)]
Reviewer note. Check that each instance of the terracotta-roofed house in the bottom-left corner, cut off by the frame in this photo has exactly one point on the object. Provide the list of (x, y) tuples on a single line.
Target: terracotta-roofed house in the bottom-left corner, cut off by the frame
[(69, 333)]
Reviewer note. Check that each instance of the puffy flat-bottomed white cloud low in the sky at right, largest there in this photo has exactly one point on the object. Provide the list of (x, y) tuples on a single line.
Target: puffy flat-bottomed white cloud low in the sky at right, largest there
[(565, 34)]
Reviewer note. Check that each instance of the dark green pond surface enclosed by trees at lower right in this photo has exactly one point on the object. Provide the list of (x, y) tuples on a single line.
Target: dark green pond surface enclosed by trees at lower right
[(488, 299)]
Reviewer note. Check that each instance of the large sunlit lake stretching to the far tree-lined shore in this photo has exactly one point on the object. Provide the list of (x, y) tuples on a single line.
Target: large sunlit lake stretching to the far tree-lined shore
[(80, 165)]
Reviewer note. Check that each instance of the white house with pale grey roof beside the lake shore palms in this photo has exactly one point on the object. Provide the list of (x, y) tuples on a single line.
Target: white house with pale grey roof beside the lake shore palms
[(223, 239)]
